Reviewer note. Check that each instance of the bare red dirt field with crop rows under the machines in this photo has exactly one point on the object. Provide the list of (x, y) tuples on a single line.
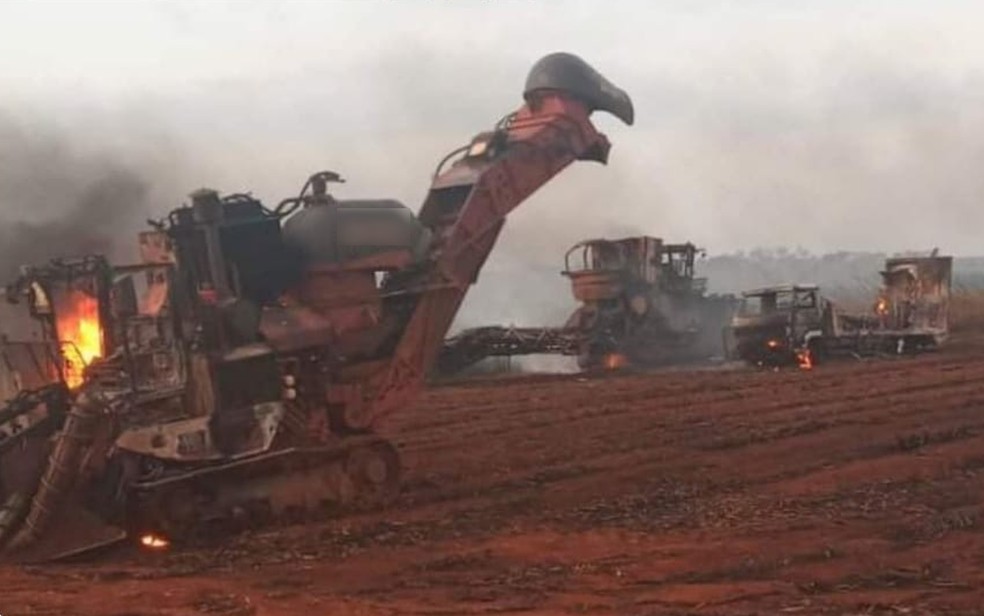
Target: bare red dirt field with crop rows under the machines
[(853, 488)]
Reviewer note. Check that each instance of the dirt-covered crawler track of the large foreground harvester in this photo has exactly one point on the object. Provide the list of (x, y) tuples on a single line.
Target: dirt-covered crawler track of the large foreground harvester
[(279, 487)]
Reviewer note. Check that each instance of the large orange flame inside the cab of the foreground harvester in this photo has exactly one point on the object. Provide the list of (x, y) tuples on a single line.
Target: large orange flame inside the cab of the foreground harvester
[(79, 334)]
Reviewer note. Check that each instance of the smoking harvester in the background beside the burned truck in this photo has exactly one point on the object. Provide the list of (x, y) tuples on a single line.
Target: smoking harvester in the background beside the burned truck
[(641, 305)]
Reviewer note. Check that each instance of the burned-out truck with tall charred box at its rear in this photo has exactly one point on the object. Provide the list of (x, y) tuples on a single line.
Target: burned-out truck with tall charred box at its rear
[(796, 324)]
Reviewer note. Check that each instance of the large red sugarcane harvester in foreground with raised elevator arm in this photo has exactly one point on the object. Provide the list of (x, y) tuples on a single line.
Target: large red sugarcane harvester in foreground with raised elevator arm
[(245, 363)]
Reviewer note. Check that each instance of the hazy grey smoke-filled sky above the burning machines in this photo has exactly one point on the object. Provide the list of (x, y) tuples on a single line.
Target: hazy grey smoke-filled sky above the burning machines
[(824, 125)]
